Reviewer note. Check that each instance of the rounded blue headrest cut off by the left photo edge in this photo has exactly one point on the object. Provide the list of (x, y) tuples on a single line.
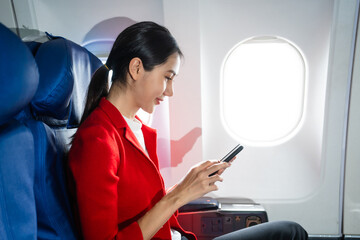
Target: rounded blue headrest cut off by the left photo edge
[(19, 75)]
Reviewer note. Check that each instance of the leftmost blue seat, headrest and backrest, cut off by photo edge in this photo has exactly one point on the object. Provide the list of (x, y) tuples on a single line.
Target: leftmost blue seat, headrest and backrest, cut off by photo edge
[(18, 83)]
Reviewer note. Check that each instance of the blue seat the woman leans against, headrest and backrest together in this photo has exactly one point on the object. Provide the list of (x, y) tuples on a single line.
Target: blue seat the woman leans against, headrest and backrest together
[(65, 70)]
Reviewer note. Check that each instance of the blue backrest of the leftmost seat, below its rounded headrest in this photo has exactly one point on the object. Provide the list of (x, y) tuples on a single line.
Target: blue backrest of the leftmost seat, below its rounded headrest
[(17, 200)]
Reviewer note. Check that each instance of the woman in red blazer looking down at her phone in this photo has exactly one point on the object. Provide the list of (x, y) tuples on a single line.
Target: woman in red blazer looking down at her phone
[(119, 190)]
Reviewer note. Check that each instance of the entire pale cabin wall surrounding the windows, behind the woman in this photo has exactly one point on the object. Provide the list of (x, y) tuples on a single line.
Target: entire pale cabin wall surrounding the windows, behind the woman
[(306, 184)]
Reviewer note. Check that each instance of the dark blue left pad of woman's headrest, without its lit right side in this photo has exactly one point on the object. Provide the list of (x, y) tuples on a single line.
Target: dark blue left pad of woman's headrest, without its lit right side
[(56, 81)]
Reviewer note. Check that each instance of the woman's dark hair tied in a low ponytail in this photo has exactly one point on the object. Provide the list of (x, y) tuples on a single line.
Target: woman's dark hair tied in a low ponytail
[(150, 42)]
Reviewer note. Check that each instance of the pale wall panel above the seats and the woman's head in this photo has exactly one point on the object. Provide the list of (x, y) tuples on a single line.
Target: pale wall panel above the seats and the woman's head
[(74, 19)]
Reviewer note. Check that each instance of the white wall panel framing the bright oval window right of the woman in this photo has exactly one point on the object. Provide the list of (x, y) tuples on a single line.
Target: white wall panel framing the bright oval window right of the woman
[(305, 184)]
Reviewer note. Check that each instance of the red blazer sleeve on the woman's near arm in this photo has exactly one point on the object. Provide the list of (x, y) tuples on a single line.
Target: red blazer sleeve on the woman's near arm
[(94, 160)]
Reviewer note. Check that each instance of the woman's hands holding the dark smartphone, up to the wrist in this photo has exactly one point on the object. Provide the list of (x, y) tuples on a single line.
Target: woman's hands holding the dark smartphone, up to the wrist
[(197, 181)]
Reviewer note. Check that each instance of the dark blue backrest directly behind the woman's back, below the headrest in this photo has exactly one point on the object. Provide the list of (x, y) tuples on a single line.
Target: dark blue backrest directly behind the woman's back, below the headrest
[(54, 215)]
